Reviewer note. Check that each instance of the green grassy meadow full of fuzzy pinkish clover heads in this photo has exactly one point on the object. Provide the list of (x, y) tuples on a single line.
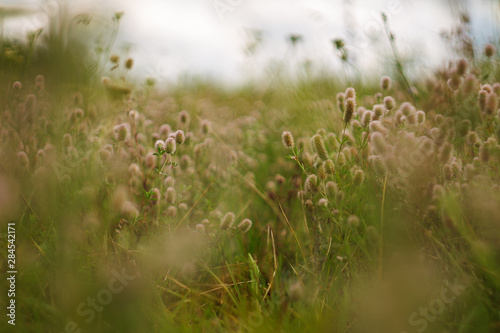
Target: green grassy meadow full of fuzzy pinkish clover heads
[(327, 204)]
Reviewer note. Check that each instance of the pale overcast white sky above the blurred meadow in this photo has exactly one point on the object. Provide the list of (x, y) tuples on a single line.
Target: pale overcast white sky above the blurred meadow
[(208, 37)]
